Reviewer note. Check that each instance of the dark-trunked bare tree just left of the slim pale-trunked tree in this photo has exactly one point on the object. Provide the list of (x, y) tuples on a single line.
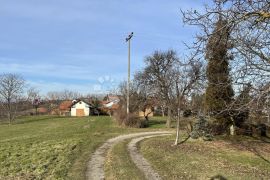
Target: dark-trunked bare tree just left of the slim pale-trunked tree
[(159, 74)]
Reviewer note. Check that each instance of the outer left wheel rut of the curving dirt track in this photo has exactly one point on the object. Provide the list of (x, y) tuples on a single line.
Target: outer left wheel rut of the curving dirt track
[(95, 167)]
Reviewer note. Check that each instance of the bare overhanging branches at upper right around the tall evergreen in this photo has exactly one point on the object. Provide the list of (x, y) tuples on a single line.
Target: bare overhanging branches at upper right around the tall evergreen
[(249, 40)]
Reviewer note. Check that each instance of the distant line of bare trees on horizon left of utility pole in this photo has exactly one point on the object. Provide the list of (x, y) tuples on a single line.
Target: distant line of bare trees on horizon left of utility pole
[(19, 98)]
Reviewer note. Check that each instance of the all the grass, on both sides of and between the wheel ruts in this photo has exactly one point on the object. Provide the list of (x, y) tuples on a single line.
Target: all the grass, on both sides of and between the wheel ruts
[(46, 147)]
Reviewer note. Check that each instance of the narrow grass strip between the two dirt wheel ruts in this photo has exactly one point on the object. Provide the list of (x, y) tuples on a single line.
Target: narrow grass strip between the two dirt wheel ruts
[(119, 164)]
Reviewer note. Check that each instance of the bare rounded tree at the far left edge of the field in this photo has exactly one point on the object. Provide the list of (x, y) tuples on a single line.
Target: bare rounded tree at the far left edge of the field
[(11, 89)]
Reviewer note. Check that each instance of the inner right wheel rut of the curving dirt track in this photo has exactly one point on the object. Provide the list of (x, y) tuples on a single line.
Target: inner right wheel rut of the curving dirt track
[(140, 161)]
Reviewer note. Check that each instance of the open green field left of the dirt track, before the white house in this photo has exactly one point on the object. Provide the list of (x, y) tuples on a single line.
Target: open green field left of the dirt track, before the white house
[(46, 147)]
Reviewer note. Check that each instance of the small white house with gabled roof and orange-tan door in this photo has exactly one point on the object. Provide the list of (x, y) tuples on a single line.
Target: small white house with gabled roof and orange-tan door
[(80, 108)]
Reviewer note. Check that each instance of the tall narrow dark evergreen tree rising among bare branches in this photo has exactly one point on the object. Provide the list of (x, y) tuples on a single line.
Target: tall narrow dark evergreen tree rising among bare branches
[(219, 90)]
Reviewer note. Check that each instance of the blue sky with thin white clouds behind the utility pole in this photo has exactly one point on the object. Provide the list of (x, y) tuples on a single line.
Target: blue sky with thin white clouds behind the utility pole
[(80, 44)]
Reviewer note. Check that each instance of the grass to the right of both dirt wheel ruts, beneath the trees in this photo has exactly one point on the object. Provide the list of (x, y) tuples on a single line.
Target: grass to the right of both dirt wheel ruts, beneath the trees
[(203, 160)]
